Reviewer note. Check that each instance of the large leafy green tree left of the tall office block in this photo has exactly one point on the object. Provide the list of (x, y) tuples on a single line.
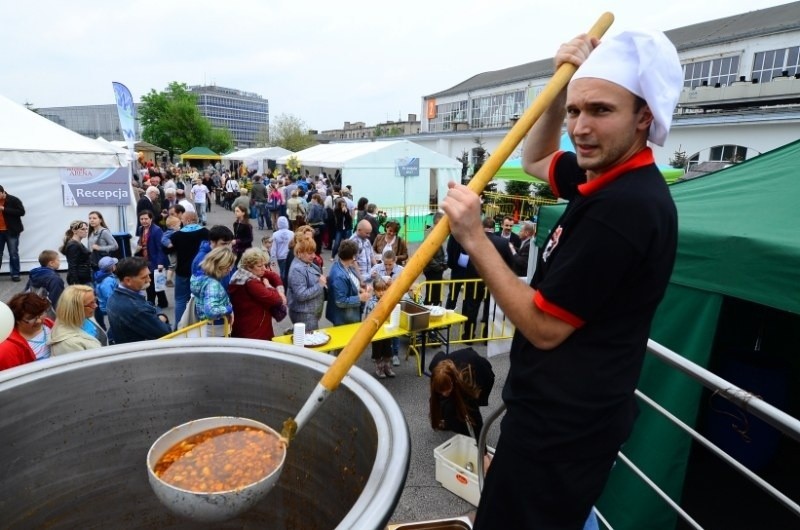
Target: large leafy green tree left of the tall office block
[(171, 119)]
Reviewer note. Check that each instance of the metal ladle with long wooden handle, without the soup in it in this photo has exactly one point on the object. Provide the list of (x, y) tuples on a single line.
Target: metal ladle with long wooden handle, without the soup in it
[(238, 501)]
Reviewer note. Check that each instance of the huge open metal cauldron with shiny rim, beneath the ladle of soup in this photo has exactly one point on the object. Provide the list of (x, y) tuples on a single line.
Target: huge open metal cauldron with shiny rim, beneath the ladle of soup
[(75, 431)]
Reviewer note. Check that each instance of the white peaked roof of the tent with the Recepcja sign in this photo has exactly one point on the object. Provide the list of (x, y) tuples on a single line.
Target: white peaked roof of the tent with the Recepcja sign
[(30, 140)]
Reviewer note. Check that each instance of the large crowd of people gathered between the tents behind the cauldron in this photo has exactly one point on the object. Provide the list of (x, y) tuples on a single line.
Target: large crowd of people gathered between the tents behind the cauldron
[(222, 272)]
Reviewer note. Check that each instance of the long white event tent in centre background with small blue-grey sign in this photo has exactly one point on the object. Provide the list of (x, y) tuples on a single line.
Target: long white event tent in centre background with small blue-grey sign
[(371, 168)]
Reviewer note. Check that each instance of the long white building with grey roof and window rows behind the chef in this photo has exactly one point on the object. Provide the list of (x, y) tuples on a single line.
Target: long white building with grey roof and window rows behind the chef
[(741, 93)]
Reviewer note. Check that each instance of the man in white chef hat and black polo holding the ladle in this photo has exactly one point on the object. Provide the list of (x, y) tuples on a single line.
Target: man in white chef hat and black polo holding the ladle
[(583, 323)]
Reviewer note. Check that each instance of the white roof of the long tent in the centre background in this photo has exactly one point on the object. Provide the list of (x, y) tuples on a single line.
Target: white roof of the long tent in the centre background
[(379, 154)]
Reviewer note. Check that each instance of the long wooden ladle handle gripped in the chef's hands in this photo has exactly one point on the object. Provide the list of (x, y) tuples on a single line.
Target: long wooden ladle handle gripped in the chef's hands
[(350, 354)]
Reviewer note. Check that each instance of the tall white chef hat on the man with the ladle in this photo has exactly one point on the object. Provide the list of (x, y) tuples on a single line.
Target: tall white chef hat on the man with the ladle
[(645, 63)]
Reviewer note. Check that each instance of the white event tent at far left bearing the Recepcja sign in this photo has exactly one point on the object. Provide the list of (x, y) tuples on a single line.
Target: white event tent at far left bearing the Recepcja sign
[(35, 156)]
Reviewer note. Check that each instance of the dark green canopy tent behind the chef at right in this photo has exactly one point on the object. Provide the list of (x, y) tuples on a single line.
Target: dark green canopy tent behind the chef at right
[(739, 239)]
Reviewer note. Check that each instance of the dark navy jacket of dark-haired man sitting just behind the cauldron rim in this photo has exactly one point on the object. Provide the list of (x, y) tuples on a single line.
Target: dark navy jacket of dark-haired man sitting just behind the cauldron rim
[(132, 319)]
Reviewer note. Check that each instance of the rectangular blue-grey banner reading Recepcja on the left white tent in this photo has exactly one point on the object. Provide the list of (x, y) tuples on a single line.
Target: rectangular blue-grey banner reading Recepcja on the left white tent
[(96, 187)]
